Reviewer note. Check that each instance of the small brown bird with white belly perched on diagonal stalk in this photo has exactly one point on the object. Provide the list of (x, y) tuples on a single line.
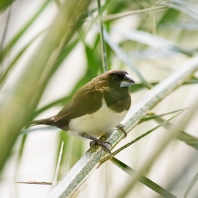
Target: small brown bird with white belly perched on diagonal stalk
[(96, 108)]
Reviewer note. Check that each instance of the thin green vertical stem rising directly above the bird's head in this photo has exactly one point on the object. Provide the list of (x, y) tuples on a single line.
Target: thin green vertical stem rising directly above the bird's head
[(102, 41)]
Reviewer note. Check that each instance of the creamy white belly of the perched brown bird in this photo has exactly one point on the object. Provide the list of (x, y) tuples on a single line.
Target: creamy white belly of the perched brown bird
[(96, 124)]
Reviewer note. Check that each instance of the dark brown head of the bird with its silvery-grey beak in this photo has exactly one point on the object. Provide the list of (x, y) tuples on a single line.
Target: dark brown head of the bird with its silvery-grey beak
[(115, 79)]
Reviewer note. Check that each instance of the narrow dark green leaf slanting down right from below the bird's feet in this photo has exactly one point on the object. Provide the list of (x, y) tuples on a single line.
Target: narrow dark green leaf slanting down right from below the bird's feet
[(152, 185)]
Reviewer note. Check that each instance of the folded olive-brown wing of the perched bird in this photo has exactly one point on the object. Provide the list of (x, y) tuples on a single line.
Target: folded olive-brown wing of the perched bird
[(85, 101)]
